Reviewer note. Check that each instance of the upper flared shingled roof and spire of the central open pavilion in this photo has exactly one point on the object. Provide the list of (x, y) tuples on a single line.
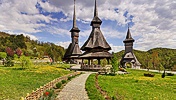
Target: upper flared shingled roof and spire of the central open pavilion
[(96, 38)]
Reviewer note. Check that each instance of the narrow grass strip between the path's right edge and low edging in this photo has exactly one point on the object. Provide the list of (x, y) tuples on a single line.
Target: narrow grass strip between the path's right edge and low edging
[(92, 91)]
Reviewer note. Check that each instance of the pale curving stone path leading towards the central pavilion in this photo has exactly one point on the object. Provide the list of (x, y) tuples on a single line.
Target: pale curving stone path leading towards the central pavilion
[(75, 89)]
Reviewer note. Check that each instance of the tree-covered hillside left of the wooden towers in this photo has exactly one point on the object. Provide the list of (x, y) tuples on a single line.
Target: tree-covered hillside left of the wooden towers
[(28, 47)]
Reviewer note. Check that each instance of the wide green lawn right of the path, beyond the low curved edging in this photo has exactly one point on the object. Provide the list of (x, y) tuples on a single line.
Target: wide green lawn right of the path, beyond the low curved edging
[(135, 86)]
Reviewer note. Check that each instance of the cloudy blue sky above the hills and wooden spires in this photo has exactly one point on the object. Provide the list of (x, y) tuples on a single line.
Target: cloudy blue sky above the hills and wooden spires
[(152, 22)]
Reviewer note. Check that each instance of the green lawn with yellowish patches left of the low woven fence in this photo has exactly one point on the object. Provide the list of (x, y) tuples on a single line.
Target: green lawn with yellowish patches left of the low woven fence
[(16, 83)]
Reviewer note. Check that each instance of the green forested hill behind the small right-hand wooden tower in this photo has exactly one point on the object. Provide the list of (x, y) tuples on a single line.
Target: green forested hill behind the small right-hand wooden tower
[(157, 56)]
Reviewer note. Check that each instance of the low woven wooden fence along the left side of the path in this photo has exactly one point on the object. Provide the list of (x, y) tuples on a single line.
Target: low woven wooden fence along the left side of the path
[(35, 95)]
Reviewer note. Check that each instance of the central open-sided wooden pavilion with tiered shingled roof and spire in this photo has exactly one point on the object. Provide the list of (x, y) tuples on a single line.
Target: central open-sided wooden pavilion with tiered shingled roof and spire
[(96, 46)]
